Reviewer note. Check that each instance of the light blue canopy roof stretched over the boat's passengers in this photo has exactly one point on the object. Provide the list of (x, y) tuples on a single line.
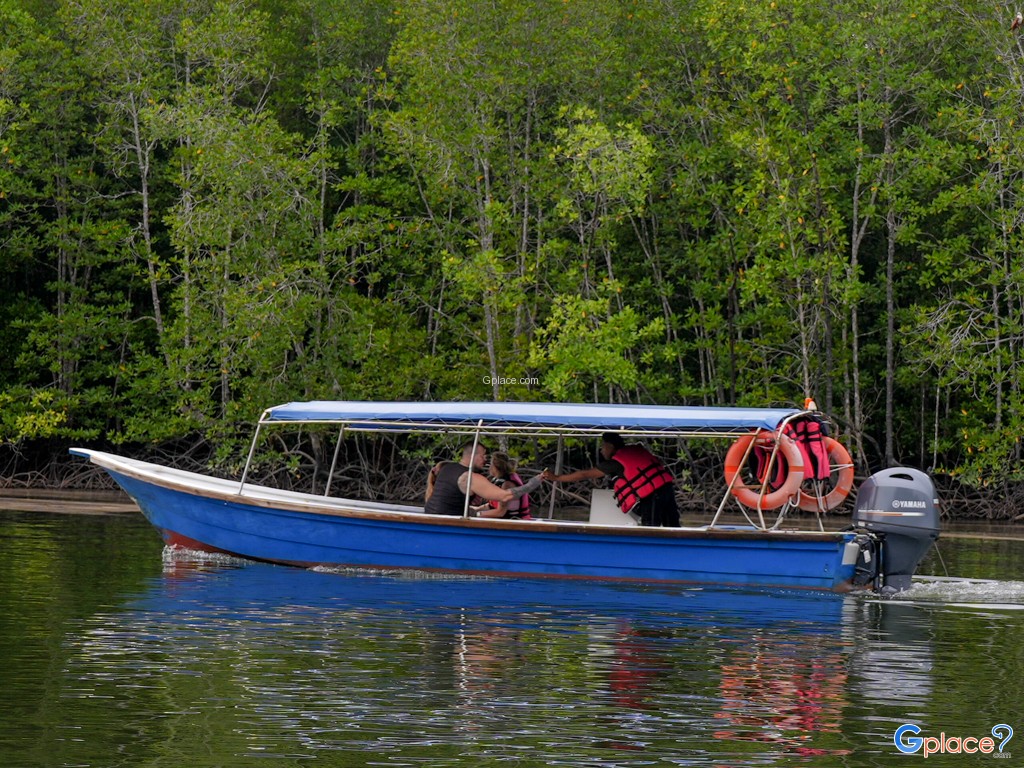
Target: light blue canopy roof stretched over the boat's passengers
[(566, 418)]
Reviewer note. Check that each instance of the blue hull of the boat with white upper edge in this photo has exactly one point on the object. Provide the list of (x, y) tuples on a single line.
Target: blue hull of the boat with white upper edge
[(304, 530)]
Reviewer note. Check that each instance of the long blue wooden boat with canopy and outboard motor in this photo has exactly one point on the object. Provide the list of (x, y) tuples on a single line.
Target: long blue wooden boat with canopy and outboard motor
[(891, 530)]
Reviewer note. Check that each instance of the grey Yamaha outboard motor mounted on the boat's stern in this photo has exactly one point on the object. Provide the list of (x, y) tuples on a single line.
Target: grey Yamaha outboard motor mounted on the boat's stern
[(901, 506)]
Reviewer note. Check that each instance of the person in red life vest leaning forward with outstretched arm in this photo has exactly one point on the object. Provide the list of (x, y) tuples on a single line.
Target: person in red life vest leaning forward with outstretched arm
[(643, 484)]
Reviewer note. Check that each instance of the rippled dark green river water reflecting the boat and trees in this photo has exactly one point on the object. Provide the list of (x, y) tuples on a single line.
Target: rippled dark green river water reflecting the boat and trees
[(116, 655)]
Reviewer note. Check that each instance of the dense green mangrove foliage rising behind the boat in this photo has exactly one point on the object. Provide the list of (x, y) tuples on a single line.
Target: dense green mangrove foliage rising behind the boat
[(211, 207)]
